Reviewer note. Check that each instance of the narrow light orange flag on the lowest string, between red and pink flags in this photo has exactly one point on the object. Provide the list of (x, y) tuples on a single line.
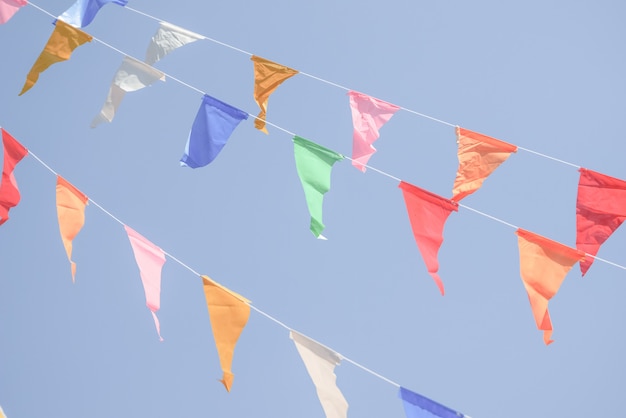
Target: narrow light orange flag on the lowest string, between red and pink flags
[(71, 204)]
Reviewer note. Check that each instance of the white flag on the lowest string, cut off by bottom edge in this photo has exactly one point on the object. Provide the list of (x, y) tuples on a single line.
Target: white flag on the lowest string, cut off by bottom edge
[(320, 363)]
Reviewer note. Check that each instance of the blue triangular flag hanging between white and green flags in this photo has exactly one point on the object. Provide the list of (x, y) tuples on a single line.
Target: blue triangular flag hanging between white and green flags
[(214, 123)]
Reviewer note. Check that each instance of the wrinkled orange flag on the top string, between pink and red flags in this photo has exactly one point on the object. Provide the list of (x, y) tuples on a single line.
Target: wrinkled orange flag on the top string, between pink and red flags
[(479, 155)]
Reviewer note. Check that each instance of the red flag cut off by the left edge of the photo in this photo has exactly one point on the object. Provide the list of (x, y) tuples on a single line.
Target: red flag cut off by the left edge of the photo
[(9, 193)]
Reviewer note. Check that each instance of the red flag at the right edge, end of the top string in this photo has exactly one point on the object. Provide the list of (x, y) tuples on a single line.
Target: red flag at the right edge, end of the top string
[(600, 210)]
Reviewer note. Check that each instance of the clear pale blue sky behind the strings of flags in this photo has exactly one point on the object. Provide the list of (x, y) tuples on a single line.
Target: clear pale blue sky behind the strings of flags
[(545, 76)]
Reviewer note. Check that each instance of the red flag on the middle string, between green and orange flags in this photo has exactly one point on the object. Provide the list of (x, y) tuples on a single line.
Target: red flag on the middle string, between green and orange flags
[(428, 213)]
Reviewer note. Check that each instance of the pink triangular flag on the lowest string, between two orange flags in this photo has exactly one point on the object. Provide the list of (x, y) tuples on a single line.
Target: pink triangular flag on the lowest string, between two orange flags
[(150, 260)]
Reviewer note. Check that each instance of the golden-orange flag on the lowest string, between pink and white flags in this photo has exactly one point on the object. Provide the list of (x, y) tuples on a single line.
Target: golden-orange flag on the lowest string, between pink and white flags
[(229, 313)]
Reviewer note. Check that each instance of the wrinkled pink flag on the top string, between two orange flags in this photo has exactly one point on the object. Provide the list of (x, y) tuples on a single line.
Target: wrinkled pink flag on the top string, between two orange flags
[(368, 116)]
